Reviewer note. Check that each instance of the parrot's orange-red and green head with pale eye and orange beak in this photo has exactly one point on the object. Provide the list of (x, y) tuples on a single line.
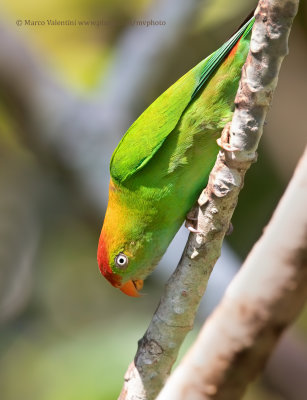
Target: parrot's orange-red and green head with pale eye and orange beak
[(125, 253)]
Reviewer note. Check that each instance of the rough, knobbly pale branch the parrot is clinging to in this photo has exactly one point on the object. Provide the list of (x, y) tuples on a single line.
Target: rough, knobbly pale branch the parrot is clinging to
[(174, 317)]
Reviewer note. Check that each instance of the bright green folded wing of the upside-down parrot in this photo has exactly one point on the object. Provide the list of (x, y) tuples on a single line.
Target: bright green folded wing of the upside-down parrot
[(147, 134)]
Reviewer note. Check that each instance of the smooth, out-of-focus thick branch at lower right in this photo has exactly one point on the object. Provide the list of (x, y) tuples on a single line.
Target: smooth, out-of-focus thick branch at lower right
[(262, 300)]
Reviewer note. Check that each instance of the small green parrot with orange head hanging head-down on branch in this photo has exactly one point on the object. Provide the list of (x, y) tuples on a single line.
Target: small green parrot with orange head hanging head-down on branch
[(162, 163)]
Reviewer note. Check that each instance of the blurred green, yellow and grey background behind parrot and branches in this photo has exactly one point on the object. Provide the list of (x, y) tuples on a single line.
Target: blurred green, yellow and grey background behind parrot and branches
[(67, 94)]
